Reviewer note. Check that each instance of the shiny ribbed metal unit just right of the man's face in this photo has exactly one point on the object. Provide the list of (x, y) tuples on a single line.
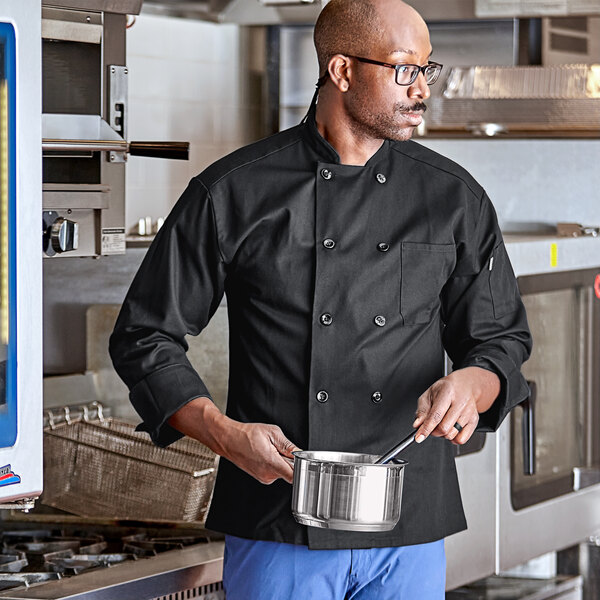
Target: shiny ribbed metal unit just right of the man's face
[(551, 101)]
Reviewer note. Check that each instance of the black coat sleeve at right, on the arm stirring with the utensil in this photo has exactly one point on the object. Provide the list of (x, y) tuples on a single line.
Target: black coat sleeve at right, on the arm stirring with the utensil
[(485, 320)]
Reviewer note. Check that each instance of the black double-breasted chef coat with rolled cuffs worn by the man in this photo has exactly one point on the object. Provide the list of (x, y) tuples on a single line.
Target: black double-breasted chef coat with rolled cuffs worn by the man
[(344, 284)]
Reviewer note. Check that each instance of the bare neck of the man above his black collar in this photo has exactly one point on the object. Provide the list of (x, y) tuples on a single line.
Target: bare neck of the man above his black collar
[(335, 127)]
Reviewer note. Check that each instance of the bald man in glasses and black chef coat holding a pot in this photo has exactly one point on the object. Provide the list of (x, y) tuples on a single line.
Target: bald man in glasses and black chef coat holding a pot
[(351, 257)]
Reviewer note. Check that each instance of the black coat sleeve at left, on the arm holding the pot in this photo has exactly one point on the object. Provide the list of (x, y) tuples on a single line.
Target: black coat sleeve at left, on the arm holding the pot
[(175, 292)]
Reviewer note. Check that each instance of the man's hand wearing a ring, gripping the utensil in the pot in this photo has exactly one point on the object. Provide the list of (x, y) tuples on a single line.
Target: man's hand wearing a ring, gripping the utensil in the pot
[(457, 398)]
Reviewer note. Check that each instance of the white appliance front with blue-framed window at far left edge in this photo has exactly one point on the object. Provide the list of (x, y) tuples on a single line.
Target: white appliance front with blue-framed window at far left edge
[(20, 261)]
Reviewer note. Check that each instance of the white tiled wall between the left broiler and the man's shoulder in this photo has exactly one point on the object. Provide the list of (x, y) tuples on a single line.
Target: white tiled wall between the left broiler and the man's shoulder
[(188, 82)]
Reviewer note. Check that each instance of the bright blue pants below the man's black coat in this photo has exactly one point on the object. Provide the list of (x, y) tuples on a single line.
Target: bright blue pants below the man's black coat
[(255, 570)]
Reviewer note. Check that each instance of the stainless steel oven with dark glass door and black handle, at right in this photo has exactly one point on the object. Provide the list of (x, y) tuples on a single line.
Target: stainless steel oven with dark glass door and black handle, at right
[(533, 487)]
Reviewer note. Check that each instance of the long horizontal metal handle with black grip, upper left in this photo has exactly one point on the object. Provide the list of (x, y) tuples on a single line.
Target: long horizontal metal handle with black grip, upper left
[(172, 150)]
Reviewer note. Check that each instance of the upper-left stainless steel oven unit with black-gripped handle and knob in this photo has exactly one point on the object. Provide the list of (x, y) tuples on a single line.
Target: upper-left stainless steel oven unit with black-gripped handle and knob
[(85, 113)]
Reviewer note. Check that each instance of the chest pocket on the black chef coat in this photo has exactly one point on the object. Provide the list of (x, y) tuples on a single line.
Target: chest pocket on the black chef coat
[(425, 270)]
